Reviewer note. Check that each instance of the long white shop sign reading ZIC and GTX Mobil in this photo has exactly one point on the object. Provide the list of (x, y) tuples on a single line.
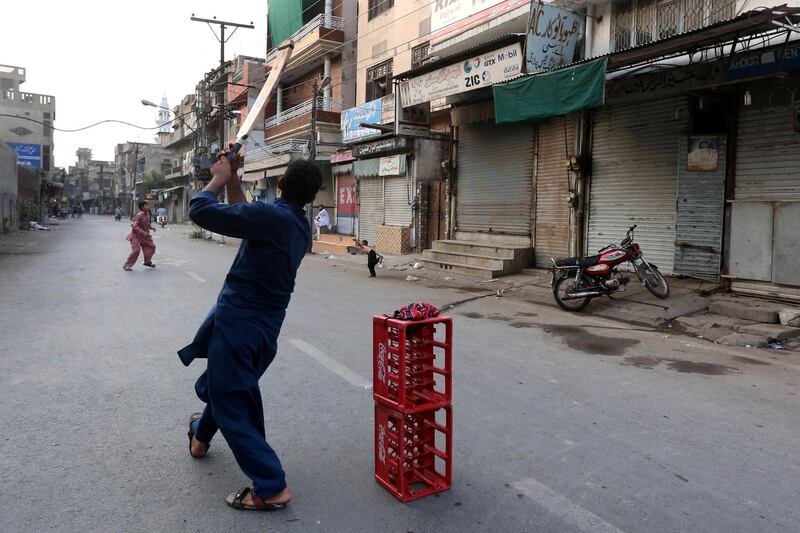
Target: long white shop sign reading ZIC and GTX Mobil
[(474, 73)]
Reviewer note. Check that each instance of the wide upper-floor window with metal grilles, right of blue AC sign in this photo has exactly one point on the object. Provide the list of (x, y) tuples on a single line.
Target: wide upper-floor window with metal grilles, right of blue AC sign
[(639, 22)]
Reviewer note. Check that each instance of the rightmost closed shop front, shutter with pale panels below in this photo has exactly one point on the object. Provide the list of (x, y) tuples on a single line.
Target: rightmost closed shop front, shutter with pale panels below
[(765, 213)]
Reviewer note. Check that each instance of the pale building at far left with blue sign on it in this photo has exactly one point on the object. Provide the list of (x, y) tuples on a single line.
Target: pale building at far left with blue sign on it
[(26, 120)]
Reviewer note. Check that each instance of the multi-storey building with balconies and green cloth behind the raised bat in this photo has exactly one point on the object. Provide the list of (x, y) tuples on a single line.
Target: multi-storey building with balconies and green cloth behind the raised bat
[(324, 36)]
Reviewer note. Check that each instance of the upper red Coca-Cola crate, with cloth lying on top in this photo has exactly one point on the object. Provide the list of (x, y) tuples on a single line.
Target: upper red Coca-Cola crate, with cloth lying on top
[(411, 368)]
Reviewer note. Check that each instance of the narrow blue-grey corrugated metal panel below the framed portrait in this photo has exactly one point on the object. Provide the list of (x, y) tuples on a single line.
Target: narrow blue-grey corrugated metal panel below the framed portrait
[(698, 233)]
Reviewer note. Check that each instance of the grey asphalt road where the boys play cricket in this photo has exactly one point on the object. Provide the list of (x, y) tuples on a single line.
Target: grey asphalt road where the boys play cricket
[(560, 423)]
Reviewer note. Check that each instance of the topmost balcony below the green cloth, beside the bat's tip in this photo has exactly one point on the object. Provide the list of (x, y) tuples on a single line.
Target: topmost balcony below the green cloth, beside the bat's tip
[(322, 35)]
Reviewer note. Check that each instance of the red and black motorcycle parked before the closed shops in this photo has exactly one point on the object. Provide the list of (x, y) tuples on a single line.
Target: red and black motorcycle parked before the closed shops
[(576, 280)]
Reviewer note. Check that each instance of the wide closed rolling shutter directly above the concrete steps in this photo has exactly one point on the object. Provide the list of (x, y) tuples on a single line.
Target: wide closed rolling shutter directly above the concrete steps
[(495, 171)]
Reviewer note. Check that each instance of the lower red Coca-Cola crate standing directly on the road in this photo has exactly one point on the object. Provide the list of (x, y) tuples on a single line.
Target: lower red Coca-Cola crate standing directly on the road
[(413, 451)]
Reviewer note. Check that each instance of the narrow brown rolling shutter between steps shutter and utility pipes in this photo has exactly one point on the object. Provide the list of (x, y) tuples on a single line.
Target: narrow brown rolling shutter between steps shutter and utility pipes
[(551, 219)]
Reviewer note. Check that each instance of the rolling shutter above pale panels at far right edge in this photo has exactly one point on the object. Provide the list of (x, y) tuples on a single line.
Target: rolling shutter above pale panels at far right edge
[(767, 155)]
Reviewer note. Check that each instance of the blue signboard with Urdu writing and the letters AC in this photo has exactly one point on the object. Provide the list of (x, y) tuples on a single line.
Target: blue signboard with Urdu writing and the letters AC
[(552, 37)]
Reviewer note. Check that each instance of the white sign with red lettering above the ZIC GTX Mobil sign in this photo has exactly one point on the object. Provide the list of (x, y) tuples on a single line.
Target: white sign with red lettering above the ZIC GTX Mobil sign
[(451, 17)]
